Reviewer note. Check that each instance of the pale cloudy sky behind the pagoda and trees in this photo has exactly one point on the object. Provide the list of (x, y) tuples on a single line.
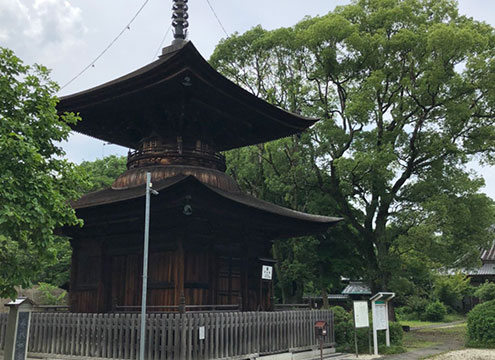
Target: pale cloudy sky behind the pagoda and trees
[(66, 36)]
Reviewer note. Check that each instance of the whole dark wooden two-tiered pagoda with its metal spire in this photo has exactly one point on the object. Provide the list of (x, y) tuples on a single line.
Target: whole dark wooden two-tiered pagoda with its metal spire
[(208, 240)]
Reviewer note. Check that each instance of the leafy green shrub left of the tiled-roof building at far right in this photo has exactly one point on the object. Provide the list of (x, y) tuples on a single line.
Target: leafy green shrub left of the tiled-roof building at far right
[(451, 289)]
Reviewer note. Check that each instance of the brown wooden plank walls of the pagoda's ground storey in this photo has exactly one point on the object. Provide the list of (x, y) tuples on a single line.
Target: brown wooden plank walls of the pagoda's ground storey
[(215, 275)]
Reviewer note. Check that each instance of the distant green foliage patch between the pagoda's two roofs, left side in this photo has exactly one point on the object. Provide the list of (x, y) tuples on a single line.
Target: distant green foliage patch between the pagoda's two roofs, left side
[(103, 172)]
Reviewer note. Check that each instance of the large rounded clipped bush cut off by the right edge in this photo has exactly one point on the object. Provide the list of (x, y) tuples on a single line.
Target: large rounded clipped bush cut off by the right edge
[(481, 325)]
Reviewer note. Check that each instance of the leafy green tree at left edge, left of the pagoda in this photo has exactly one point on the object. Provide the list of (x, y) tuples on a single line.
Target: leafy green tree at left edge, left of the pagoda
[(36, 181)]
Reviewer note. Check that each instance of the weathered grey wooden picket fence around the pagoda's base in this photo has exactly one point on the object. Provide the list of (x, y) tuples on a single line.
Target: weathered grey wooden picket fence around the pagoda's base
[(175, 336)]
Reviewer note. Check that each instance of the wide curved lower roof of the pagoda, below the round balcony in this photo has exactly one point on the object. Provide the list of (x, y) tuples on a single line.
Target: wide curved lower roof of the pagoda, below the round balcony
[(216, 206)]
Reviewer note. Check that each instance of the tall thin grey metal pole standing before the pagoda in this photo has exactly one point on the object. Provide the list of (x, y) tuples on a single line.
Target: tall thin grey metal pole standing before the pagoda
[(145, 266)]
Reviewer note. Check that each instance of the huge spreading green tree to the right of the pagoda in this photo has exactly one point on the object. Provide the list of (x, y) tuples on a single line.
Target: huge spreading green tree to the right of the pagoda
[(406, 96)]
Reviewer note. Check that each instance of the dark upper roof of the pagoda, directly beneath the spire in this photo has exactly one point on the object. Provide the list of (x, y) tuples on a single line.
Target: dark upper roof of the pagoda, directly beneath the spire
[(179, 94)]
